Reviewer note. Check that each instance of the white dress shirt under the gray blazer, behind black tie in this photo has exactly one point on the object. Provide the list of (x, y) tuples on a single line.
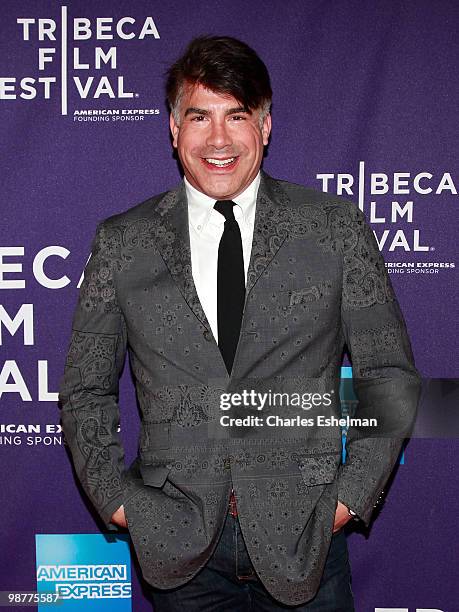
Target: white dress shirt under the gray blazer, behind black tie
[(206, 229)]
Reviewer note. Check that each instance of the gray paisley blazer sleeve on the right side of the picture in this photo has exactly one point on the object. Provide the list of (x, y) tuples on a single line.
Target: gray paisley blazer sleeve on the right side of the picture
[(386, 382)]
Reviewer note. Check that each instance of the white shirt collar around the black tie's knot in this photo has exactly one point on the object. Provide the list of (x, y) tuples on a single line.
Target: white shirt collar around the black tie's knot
[(201, 206)]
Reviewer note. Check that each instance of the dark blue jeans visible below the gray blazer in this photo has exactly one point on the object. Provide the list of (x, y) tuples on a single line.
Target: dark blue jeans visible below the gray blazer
[(228, 582)]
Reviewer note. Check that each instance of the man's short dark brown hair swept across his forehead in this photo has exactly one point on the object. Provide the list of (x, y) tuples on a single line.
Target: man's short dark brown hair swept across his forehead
[(224, 65)]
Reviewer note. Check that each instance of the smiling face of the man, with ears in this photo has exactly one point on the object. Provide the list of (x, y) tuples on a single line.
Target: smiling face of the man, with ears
[(219, 143)]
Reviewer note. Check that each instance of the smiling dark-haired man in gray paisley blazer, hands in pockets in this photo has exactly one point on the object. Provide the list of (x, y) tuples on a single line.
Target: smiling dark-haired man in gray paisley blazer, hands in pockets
[(236, 283)]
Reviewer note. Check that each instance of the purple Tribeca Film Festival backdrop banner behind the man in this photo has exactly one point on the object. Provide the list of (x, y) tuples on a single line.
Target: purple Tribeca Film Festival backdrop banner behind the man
[(364, 105)]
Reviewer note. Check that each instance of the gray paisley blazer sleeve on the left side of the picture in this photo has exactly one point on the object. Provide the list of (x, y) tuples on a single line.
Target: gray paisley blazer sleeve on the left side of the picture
[(88, 392)]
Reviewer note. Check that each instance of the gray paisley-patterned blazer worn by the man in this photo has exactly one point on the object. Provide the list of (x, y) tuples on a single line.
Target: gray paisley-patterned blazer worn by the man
[(316, 282)]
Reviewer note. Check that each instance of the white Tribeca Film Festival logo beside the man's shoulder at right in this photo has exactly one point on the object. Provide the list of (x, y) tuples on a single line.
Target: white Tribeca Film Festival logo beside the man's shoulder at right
[(392, 211)]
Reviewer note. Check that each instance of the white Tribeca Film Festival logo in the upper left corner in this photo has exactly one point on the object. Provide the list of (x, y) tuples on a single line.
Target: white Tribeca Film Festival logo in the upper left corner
[(53, 77)]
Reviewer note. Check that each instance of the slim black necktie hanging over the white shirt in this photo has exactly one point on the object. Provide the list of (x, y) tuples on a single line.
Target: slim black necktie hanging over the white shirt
[(230, 284)]
